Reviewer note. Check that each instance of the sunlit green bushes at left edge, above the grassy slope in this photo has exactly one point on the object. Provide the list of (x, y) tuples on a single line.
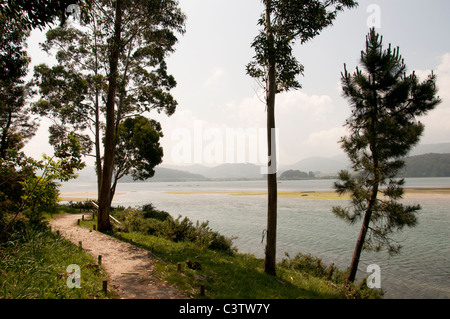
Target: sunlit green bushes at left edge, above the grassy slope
[(30, 186)]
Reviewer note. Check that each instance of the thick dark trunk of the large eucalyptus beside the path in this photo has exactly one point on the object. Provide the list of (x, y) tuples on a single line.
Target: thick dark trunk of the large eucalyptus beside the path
[(109, 144)]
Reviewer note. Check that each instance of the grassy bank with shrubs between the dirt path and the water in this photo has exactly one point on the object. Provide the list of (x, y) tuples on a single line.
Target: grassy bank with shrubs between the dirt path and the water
[(186, 257)]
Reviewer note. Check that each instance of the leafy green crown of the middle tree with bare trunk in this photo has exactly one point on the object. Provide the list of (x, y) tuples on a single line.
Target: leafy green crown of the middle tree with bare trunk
[(291, 20)]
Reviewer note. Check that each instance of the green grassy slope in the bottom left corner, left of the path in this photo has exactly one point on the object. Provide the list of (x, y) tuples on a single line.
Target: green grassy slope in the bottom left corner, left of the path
[(33, 264)]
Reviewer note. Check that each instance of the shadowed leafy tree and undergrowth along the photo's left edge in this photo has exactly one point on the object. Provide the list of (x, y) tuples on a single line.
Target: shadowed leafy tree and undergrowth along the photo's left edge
[(21, 189)]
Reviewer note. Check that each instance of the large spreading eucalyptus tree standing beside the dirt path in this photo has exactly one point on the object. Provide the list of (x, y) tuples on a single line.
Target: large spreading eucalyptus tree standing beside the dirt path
[(109, 69)]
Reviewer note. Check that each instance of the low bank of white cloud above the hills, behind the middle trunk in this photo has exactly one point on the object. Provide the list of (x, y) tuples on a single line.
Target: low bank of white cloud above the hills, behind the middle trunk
[(303, 121)]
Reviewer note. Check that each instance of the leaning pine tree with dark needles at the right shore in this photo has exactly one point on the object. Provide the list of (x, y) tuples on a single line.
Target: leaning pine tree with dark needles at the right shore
[(385, 103)]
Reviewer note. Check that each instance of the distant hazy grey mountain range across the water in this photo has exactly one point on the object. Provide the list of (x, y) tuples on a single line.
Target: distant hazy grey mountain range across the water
[(320, 166)]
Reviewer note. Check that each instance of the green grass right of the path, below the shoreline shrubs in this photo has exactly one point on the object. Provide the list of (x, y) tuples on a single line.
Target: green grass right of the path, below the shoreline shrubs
[(228, 275)]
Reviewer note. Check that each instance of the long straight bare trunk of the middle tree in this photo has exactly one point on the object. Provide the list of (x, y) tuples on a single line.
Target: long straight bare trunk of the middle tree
[(270, 260)]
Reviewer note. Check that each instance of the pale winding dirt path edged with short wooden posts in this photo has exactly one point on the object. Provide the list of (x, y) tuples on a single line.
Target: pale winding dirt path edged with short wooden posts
[(130, 268)]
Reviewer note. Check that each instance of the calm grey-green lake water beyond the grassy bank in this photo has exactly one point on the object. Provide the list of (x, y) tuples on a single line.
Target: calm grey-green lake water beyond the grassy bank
[(308, 226)]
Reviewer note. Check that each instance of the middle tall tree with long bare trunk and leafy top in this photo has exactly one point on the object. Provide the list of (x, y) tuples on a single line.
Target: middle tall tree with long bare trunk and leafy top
[(284, 22)]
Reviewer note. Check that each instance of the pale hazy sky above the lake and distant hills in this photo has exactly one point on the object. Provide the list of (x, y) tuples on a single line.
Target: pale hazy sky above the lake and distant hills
[(215, 95)]
